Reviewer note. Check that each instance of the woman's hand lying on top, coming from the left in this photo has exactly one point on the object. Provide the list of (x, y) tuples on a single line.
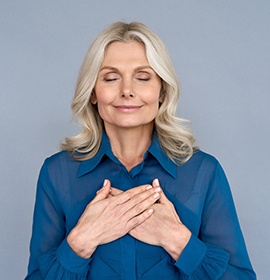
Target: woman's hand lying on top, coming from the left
[(107, 218)]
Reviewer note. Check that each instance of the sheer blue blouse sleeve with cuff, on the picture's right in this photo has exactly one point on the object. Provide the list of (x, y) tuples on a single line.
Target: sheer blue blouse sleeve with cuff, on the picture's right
[(219, 251)]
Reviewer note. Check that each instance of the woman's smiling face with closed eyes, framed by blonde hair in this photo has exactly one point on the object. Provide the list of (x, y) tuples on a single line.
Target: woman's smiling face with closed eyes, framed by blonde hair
[(127, 90)]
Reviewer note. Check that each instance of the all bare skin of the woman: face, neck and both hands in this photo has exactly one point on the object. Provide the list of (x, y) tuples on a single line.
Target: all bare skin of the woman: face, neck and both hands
[(127, 94)]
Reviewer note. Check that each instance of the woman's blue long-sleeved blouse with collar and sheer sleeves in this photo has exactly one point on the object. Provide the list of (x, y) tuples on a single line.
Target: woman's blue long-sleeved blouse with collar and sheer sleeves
[(198, 189)]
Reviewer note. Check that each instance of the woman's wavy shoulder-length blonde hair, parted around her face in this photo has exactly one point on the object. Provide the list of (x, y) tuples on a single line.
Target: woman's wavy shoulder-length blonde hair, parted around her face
[(174, 135)]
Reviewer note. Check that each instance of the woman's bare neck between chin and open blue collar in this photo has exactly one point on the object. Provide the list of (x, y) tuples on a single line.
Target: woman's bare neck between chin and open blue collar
[(129, 145)]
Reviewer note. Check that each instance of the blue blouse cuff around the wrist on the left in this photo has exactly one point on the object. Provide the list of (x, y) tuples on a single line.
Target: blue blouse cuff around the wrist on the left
[(70, 260)]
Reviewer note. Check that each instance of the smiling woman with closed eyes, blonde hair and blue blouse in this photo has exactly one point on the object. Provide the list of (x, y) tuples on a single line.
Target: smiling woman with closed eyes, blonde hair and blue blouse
[(130, 197)]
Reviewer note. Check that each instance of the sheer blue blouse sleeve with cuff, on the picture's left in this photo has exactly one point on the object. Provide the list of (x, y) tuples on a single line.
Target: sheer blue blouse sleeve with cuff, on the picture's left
[(50, 255)]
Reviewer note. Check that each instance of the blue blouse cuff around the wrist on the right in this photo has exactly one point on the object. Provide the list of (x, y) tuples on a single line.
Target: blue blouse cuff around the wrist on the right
[(191, 256)]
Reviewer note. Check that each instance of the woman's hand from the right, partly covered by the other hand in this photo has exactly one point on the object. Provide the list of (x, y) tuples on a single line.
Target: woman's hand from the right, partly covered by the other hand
[(163, 228)]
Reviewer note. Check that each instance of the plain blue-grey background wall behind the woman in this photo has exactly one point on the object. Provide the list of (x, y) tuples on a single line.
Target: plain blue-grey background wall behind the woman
[(221, 52)]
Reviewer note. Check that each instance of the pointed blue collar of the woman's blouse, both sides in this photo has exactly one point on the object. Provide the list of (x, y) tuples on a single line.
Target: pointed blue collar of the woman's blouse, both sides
[(105, 149)]
